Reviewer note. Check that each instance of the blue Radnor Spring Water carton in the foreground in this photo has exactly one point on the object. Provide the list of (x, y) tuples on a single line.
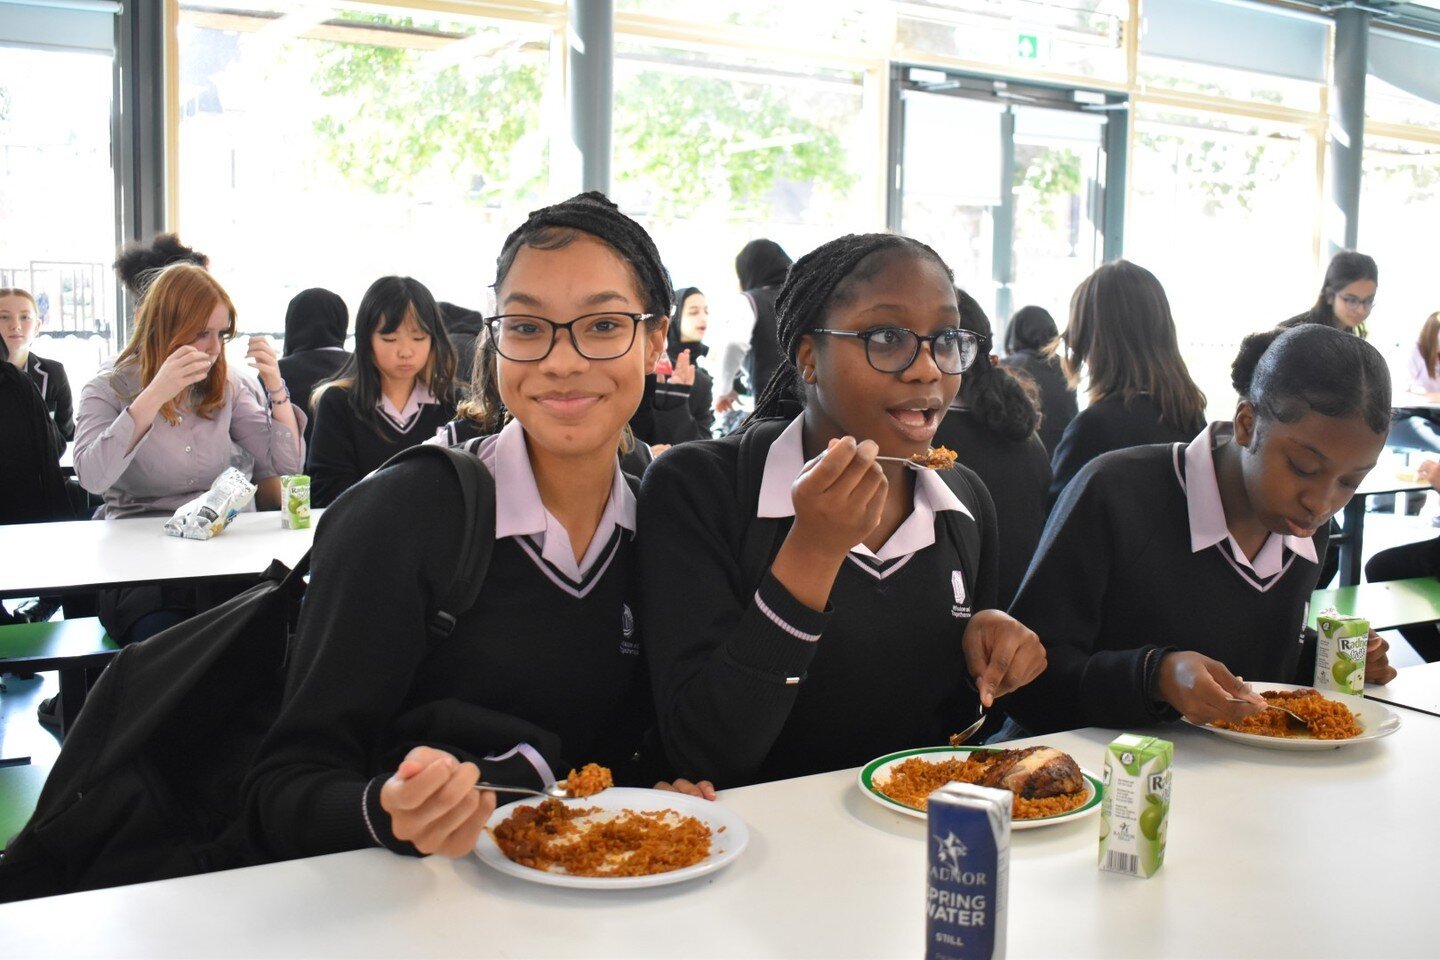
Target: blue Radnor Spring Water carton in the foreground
[(968, 876)]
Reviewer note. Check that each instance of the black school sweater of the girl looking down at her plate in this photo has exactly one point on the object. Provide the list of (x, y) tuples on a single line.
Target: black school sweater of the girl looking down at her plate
[(1115, 585)]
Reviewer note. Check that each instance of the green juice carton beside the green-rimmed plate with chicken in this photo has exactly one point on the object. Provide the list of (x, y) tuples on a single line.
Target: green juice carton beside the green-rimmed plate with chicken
[(1135, 812)]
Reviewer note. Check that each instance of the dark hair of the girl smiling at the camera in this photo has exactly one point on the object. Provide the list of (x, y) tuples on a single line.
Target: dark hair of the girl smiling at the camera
[(555, 228)]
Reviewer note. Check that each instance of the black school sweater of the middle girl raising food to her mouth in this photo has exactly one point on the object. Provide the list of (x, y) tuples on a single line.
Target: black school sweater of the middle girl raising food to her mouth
[(754, 686)]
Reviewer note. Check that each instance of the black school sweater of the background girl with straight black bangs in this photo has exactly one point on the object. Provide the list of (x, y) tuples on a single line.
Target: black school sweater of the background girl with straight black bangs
[(343, 448)]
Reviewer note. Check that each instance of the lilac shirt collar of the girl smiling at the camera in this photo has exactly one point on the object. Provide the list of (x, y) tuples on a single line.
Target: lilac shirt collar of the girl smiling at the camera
[(521, 512)]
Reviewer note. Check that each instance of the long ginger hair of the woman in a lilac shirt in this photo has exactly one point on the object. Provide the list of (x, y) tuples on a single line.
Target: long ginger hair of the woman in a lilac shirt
[(172, 314)]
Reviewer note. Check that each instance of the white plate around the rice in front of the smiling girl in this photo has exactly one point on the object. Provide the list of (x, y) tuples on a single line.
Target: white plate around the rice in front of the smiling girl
[(728, 838)]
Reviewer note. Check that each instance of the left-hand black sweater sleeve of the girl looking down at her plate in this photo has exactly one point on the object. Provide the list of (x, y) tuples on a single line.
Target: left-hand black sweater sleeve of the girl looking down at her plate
[(1094, 677)]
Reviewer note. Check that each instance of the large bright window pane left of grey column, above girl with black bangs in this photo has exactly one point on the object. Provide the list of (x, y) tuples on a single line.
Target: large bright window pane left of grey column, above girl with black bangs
[(328, 148)]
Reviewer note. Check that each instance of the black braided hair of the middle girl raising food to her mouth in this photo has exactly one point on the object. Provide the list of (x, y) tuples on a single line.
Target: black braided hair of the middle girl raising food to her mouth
[(824, 279)]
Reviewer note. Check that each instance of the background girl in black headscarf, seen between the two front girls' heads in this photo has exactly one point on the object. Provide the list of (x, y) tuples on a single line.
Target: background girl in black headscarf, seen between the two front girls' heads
[(678, 404)]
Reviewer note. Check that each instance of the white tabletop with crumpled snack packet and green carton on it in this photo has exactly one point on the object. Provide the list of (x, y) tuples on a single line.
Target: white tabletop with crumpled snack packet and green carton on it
[(84, 555)]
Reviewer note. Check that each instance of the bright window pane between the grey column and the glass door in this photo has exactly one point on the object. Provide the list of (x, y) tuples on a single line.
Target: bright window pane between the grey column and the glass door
[(714, 152)]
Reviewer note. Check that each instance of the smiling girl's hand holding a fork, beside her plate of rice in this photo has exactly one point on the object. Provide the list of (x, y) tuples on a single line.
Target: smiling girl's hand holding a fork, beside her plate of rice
[(434, 804)]
